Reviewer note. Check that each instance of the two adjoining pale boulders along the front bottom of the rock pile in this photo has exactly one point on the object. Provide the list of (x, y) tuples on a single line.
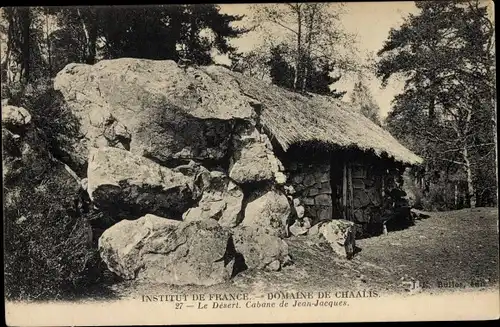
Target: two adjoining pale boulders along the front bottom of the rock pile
[(200, 252)]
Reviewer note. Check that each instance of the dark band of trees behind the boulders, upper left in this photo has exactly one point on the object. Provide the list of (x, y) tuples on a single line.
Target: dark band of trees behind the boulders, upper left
[(42, 40)]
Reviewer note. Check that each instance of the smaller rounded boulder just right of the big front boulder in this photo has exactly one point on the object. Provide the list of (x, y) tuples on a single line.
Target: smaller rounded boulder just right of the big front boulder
[(260, 250)]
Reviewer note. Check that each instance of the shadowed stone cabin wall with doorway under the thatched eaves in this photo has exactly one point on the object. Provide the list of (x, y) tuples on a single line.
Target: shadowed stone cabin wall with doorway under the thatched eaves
[(321, 199)]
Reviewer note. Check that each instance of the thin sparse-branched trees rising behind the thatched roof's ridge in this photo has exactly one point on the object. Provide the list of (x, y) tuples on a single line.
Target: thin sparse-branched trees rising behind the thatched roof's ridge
[(303, 46)]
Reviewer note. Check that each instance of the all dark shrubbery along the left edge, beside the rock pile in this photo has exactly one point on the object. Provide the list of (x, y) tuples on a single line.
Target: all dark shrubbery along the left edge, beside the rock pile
[(48, 249)]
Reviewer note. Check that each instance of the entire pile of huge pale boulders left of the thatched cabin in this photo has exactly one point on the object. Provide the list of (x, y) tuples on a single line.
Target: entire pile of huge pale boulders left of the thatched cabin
[(178, 159)]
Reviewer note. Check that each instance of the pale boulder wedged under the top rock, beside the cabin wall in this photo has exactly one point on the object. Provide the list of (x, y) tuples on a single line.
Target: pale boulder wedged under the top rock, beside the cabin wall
[(253, 159)]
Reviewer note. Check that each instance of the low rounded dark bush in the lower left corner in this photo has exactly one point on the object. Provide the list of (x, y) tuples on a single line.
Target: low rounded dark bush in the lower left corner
[(48, 241)]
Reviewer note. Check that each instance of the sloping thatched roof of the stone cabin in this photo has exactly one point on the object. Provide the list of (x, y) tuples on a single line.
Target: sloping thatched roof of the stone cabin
[(293, 118)]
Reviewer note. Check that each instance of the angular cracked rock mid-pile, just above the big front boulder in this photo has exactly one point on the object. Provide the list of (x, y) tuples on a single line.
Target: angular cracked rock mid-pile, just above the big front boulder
[(221, 200)]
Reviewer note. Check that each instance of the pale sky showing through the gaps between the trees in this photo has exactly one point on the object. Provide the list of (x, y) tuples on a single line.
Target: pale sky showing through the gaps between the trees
[(371, 22)]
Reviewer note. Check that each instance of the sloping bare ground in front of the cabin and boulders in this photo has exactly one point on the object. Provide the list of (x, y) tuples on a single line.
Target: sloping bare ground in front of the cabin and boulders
[(449, 251)]
